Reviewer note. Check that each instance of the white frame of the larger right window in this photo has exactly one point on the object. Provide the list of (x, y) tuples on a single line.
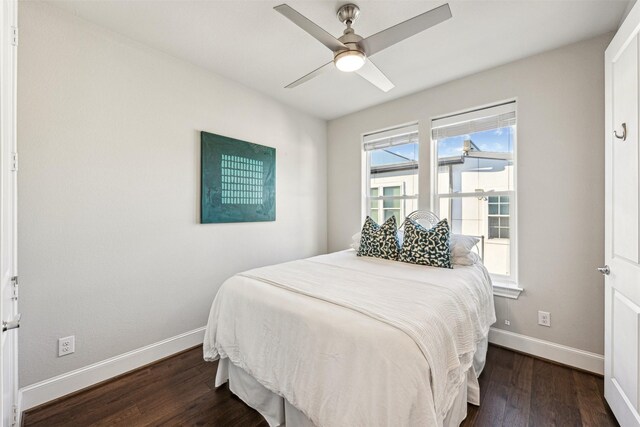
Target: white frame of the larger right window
[(501, 280)]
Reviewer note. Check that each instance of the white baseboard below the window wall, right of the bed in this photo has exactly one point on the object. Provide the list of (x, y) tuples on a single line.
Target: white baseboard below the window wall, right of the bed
[(581, 359)]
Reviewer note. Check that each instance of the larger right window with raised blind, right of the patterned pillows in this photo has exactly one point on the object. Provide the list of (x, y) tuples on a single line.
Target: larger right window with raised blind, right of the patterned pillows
[(475, 180)]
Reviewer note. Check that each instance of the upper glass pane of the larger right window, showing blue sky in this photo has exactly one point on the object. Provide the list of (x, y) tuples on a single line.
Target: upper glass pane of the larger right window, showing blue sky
[(478, 161)]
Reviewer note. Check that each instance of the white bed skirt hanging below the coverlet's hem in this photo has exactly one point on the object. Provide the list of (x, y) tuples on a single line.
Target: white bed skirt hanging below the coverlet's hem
[(278, 412)]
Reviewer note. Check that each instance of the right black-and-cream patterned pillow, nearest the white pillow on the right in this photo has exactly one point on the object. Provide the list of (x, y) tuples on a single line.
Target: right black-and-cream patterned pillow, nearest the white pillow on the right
[(426, 246)]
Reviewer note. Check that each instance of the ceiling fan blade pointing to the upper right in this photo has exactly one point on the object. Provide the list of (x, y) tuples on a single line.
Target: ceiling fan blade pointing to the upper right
[(392, 35)]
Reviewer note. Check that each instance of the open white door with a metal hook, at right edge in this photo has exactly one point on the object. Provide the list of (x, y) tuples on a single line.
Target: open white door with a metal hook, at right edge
[(622, 240)]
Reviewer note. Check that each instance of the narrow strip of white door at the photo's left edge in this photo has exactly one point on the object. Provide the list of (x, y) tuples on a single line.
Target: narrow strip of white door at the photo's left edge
[(8, 167)]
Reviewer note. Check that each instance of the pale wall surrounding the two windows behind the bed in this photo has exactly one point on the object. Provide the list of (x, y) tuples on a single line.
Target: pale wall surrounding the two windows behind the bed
[(560, 181)]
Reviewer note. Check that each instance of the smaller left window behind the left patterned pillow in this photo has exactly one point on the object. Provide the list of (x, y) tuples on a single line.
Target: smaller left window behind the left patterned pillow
[(391, 173)]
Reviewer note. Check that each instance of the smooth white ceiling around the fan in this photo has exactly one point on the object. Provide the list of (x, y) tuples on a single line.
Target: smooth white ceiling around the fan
[(247, 41)]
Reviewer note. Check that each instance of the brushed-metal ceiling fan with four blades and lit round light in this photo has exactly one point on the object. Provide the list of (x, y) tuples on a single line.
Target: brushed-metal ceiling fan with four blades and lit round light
[(351, 52)]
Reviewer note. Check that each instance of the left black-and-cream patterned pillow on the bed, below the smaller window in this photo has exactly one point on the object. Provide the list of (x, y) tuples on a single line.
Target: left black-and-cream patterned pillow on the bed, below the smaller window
[(379, 241)]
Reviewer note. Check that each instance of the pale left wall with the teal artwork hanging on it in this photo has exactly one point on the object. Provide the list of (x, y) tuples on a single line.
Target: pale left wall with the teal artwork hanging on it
[(111, 250)]
